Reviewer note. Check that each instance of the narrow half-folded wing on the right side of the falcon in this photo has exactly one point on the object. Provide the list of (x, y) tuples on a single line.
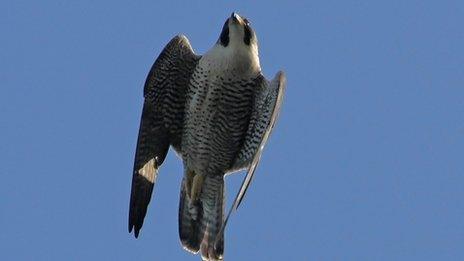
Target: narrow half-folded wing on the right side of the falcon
[(267, 102)]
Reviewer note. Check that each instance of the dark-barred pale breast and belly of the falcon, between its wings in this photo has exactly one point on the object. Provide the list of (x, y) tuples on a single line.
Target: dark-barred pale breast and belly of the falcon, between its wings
[(218, 111)]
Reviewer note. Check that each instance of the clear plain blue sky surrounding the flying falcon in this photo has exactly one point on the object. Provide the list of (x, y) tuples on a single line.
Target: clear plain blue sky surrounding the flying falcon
[(366, 161)]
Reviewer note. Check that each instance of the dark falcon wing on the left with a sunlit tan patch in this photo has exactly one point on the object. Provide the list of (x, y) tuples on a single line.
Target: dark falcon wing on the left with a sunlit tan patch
[(161, 122)]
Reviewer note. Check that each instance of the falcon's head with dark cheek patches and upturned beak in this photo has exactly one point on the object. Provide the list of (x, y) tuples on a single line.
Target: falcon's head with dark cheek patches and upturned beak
[(237, 34)]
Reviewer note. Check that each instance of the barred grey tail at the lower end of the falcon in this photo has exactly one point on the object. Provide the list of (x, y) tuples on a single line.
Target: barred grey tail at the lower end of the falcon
[(201, 219)]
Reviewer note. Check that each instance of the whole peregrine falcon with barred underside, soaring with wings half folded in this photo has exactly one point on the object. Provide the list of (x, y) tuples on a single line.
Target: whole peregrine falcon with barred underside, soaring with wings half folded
[(216, 111)]
